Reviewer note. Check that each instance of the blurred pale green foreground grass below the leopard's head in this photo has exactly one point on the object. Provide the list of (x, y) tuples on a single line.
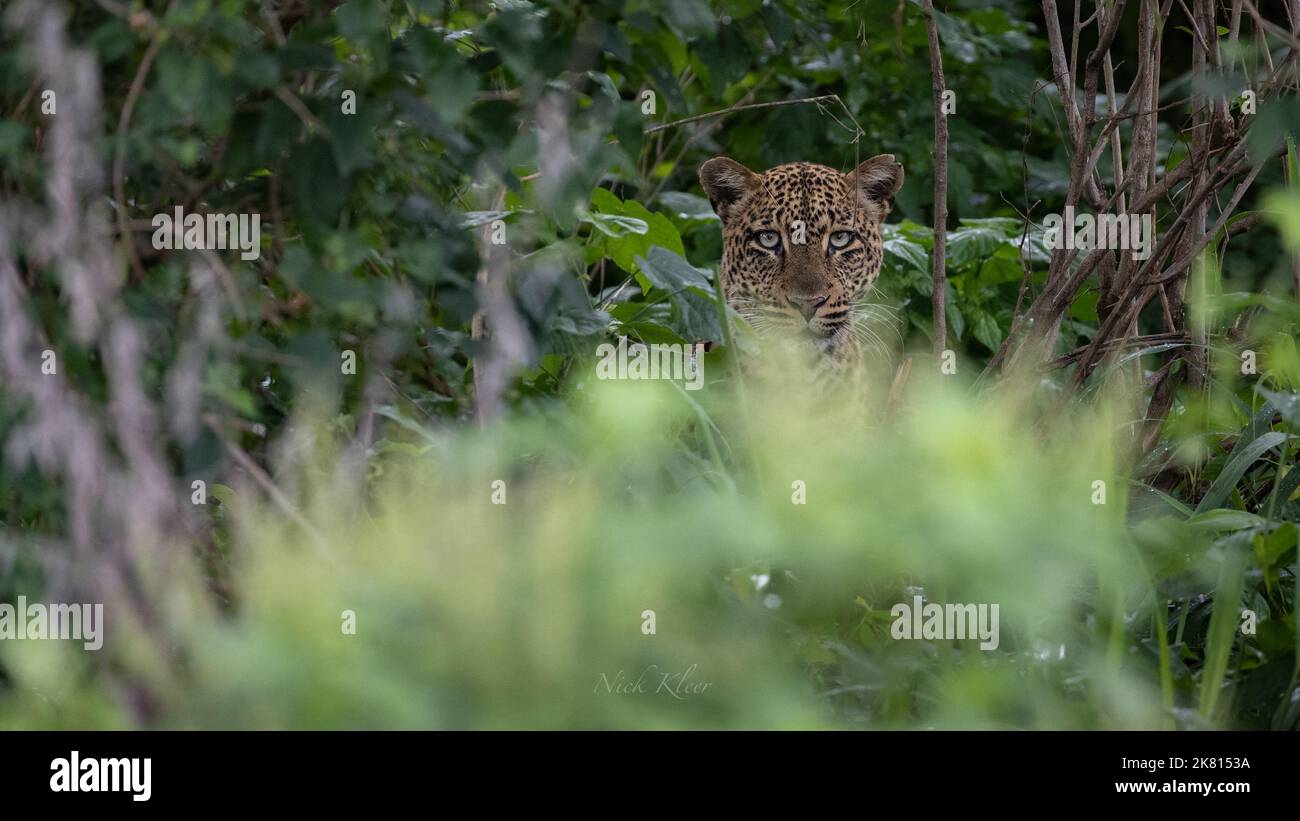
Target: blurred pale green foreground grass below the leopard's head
[(480, 615)]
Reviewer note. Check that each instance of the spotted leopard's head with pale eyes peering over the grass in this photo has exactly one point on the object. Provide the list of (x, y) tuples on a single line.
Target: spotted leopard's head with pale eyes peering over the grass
[(803, 245)]
